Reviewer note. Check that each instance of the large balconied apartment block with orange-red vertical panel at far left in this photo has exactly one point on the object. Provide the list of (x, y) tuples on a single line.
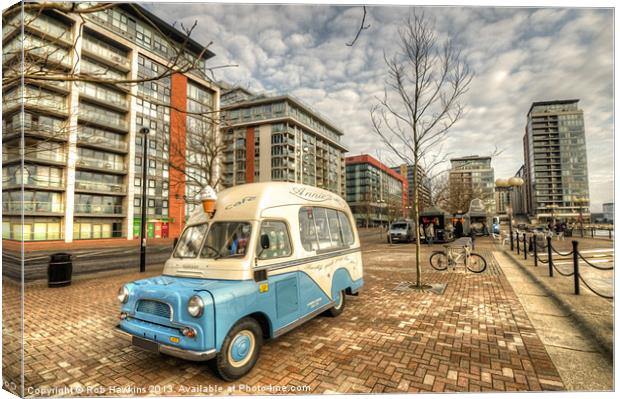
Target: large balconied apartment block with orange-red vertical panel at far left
[(82, 155)]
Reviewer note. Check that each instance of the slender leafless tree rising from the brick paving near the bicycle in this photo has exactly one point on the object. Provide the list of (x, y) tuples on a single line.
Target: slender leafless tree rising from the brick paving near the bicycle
[(422, 100)]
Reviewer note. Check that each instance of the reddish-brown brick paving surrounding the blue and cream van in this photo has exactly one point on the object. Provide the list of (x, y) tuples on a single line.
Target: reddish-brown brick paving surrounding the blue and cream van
[(475, 336)]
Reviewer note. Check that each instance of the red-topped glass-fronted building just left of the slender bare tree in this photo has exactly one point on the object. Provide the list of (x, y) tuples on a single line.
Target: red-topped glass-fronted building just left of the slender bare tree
[(375, 193)]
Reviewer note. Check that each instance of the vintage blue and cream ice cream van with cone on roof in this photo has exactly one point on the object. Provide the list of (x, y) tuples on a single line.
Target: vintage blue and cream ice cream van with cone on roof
[(256, 261)]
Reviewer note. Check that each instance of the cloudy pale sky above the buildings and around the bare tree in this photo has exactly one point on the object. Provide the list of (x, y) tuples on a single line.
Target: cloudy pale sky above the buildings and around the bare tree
[(519, 55)]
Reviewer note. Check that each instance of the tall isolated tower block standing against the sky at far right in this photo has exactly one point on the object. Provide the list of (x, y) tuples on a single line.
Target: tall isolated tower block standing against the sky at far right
[(556, 166)]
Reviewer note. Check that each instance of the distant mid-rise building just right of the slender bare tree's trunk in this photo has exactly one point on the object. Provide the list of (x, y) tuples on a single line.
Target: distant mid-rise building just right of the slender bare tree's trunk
[(473, 177)]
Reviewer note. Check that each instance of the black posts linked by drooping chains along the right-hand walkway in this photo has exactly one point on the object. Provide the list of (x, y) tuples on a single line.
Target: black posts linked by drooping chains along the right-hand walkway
[(534, 242)]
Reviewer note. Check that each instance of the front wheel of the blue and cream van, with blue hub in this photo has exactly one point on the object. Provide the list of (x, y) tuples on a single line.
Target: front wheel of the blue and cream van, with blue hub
[(240, 350)]
